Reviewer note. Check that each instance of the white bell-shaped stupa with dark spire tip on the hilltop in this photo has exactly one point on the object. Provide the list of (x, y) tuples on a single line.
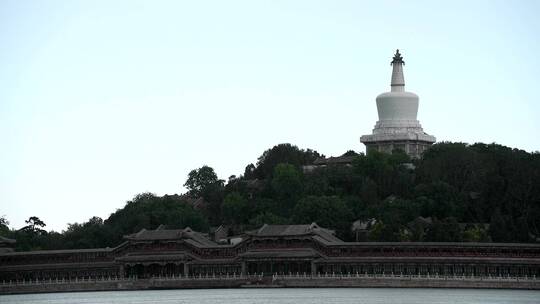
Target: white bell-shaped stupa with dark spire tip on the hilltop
[(398, 127)]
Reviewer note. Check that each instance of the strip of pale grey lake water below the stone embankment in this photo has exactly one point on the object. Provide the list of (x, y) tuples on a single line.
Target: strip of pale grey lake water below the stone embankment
[(285, 296)]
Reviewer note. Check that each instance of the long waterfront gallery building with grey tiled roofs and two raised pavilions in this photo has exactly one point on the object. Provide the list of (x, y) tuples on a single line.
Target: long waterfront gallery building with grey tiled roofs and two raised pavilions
[(308, 250)]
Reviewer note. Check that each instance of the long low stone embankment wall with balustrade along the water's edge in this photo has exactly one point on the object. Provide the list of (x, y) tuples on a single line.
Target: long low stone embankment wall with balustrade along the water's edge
[(256, 281)]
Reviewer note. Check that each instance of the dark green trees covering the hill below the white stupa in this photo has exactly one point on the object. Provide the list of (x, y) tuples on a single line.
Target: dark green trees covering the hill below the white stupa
[(455, 193)]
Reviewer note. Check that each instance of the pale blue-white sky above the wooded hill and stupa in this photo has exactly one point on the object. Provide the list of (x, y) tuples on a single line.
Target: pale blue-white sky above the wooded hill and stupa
[(101, 100)]
